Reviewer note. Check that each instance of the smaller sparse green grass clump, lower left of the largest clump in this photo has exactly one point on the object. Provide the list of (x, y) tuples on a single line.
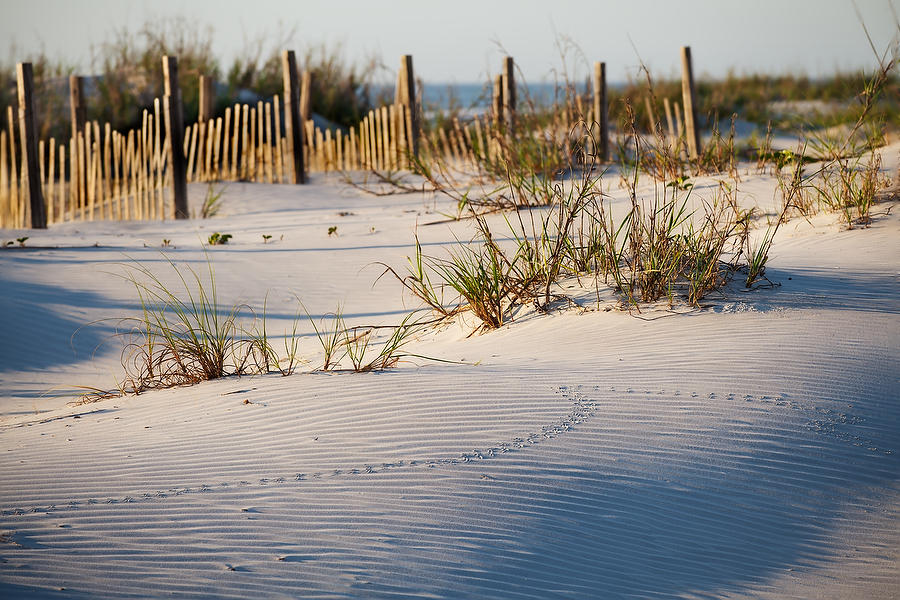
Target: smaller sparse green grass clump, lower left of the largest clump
[(185, 335)]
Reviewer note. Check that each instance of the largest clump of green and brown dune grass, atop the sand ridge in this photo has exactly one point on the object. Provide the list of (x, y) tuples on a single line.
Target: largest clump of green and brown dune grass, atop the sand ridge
[(660, 249)]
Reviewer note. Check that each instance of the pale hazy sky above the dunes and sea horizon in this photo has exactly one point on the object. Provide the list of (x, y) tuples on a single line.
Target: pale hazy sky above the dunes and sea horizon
[(457, 40)]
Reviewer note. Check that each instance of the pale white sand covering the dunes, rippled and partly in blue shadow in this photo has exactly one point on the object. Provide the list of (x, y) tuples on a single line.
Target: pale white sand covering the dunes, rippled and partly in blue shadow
[(749, 449)]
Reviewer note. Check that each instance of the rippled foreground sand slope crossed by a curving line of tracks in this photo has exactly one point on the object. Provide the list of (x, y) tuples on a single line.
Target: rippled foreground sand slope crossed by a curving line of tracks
[(526, 489)]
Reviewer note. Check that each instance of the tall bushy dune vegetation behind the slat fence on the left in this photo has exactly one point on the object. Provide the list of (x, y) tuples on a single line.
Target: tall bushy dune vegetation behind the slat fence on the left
[(126, 74)]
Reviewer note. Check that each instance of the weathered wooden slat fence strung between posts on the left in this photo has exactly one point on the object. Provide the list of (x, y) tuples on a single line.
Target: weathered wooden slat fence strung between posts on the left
[(106, 174)]
